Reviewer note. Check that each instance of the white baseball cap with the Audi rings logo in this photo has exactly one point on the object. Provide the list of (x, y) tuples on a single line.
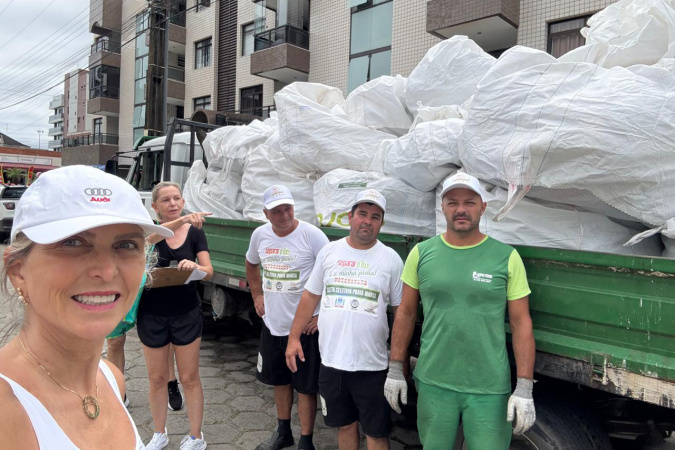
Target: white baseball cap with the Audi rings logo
[(72, 199)]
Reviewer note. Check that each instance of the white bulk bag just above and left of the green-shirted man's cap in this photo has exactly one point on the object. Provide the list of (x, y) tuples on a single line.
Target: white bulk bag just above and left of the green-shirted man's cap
[(425, 156)]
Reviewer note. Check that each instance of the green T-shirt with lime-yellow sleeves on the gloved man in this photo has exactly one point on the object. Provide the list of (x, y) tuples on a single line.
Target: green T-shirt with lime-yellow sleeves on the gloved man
[(463, 291)]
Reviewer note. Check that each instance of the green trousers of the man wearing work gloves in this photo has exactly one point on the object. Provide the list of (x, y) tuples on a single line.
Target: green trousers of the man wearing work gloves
[(483, 417)]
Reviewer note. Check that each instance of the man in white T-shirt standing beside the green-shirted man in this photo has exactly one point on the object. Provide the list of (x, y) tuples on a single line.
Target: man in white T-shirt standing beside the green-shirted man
[(354, 279)]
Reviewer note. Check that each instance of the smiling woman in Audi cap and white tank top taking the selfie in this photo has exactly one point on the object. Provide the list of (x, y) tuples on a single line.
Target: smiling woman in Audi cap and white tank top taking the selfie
[(76, 261)]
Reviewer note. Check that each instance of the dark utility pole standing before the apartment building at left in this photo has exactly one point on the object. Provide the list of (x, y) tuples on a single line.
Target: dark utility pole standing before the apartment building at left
[(155, 100)]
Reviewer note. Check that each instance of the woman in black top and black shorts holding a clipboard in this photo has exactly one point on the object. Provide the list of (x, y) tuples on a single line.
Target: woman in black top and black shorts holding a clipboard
[(172, 315)]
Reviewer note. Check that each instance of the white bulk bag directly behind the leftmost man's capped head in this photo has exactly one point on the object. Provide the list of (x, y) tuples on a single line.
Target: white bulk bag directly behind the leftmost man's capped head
[(265, 167)]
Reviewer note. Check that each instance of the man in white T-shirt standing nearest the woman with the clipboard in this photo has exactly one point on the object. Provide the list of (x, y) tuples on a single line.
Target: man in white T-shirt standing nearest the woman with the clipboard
[(287, 249)]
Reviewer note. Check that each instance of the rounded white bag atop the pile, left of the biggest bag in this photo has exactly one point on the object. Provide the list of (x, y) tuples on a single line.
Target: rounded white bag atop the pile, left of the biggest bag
[(448, 74)]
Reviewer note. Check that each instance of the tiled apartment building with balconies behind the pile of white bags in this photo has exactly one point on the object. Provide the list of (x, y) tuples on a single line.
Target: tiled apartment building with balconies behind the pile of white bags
[(233, 55)]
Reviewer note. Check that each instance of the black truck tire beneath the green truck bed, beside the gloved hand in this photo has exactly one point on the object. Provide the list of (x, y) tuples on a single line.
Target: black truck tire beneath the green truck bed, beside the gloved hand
[(559, 426)]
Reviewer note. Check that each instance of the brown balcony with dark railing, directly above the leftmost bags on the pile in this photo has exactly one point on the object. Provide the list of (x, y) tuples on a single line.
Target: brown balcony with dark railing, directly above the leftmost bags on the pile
[(281, 54)]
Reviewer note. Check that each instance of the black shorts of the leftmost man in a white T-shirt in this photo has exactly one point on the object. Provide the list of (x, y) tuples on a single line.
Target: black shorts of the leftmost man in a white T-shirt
[(272, 368)]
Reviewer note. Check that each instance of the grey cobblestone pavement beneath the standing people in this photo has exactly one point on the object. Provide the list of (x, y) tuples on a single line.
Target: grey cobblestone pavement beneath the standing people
[(239, 411)]
